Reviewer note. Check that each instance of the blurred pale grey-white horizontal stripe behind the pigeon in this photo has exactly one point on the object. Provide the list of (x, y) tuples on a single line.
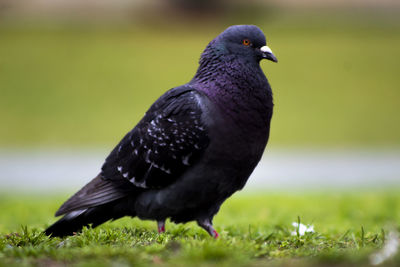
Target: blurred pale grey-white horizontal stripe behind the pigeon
[(46, 171)]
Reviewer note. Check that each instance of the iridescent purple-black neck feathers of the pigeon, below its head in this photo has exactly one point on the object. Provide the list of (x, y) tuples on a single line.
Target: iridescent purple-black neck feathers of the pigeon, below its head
[(237, 86)]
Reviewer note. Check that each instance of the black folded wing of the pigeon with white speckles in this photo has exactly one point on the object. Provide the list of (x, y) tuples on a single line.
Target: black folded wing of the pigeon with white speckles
[(169, 138)]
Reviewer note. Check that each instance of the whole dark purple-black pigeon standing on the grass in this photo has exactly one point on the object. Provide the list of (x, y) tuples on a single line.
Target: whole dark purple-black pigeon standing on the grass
[(194, 147)]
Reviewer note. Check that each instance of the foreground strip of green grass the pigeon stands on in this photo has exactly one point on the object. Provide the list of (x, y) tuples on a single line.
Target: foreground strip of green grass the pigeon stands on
[(255, 231)]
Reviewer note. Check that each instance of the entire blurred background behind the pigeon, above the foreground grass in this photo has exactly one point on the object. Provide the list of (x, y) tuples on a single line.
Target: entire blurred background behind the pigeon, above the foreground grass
[(75, 76)]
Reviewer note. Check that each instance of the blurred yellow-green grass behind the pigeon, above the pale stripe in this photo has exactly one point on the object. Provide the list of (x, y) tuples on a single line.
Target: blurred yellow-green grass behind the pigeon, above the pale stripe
[(336, 83)]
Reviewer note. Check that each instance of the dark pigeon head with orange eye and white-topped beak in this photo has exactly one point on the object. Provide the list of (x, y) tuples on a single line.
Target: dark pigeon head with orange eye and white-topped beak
[(243, 41)]
